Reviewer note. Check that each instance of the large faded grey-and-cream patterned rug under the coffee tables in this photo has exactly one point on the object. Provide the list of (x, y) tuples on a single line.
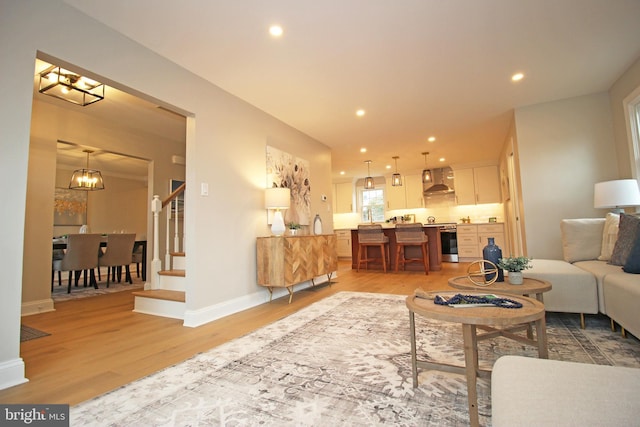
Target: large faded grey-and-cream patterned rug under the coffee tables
[(344, 360)]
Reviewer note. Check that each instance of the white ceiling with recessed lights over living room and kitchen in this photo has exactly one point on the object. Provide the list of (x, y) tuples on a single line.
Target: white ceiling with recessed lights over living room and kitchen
[(419, 68)]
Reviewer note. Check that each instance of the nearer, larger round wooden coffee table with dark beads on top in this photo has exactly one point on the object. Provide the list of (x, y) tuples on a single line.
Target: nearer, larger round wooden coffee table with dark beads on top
[(489, 318)]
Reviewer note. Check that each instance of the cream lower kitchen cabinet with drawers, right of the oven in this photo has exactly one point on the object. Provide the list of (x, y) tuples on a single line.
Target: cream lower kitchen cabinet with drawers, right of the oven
[(472, 238)]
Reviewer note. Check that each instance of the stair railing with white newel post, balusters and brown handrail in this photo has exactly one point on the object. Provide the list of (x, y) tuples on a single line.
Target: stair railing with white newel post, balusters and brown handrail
[(175, 206)]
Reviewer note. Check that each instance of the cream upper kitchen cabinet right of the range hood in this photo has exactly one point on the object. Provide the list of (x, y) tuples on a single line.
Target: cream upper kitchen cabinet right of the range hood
[(477, 185)]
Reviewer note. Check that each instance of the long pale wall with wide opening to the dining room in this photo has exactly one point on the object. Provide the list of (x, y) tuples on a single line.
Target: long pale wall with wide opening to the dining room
[(226, 140)]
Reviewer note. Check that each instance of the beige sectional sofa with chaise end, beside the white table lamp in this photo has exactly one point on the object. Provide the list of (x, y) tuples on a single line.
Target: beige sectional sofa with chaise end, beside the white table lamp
[(584, 282)]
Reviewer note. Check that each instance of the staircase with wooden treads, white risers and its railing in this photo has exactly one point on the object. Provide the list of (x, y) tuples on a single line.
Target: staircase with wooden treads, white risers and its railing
[(165, 295)]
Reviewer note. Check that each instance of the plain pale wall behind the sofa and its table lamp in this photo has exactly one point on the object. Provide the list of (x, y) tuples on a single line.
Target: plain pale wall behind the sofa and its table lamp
[(565, 147)]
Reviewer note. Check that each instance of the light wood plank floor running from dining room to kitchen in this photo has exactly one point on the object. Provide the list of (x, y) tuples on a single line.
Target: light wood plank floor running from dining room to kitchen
[(98, 344)]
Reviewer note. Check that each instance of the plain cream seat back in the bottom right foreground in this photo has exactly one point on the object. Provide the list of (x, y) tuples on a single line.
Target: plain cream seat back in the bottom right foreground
[(538, 392)]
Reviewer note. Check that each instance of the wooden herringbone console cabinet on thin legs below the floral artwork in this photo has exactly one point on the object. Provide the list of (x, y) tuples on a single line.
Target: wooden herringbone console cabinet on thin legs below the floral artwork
[(284, 261)]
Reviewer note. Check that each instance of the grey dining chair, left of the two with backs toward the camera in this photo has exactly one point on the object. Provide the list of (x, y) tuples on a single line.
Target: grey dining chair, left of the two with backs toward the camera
[(81, 255)]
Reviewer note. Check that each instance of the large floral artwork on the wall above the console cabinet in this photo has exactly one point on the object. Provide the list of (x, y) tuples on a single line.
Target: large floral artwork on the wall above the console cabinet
[(286, 170)]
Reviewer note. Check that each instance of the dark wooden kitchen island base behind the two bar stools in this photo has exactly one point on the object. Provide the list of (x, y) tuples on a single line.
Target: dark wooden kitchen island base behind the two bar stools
[(435, 249)]
